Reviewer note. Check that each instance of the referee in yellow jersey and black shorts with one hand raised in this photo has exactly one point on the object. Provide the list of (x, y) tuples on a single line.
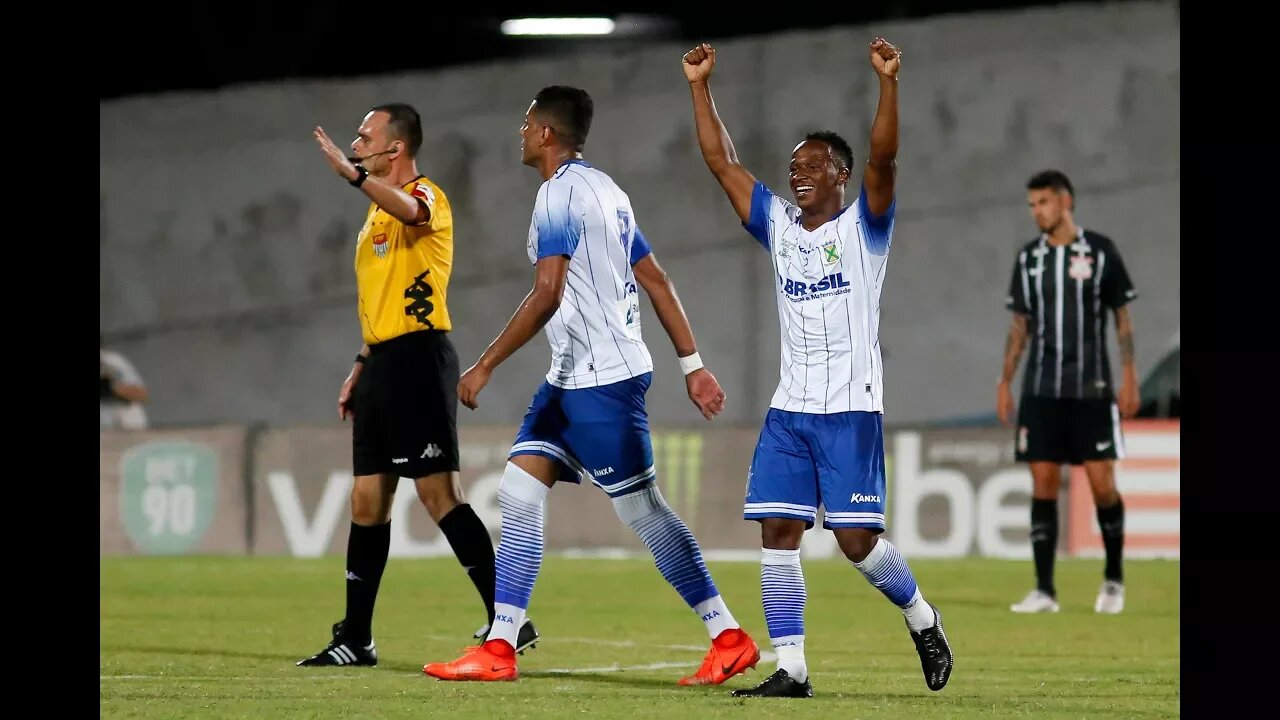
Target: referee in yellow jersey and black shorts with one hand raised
[(403, 390)]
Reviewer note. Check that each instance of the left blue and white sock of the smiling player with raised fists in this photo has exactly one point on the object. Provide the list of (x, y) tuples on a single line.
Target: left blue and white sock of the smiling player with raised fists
[(784, 596)]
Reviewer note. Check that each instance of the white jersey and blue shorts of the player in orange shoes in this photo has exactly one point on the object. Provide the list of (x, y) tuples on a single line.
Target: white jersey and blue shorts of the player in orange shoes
[(591, 412)]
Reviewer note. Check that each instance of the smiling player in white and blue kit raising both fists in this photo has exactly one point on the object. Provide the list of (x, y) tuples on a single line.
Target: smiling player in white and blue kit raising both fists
[(822, 439)]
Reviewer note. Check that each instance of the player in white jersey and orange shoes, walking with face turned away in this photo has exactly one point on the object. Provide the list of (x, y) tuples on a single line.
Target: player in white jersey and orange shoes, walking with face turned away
[(588, 420)]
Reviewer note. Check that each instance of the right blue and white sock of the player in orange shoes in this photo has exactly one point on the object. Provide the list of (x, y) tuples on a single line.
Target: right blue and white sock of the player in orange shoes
[(676, 554)]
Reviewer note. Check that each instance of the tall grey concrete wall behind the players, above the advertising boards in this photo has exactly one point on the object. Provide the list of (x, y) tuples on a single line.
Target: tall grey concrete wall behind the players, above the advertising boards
[(227, 243)]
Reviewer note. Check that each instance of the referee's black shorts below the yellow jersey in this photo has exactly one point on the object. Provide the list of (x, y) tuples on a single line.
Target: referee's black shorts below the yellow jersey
[(406, 408)]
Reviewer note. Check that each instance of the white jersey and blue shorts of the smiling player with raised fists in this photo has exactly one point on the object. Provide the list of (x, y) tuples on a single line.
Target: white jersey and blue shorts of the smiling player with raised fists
[(822, 440)]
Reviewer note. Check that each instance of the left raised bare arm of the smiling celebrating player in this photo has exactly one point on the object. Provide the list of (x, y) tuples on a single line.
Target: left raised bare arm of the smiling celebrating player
[(712, 138)]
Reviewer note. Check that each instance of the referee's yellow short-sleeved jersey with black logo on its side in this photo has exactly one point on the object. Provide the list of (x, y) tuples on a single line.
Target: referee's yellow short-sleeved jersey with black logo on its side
[(403, 272)]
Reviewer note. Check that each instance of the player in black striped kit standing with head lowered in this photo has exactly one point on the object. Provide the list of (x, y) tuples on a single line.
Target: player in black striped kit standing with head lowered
[(1063, 286)]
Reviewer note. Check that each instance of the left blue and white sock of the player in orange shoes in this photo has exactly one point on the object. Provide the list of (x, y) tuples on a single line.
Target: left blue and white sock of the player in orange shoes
[(520, 552)]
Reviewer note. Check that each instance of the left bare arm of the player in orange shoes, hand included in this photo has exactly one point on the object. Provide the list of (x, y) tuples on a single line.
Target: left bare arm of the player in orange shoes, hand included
[(534, 312)]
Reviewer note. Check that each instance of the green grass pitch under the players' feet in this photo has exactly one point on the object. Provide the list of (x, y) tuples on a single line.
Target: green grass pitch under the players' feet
[(218, 637)]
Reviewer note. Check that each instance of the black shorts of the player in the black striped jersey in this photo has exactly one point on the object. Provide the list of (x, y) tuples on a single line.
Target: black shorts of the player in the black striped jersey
[(1068, 431)]
